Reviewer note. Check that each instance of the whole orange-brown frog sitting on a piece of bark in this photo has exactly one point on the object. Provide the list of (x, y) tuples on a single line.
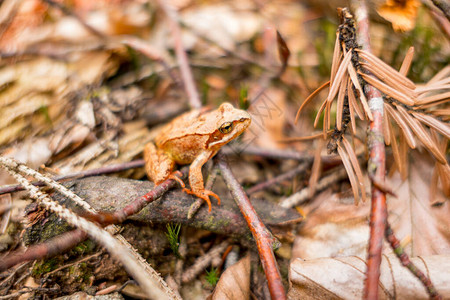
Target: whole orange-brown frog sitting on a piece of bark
[(193, 138)]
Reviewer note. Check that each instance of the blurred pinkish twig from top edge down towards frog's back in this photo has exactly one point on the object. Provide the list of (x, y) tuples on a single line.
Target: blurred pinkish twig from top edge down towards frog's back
[(186, 73)]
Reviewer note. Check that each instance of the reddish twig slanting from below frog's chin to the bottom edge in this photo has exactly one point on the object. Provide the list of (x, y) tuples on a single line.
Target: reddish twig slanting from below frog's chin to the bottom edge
[(265, 241)]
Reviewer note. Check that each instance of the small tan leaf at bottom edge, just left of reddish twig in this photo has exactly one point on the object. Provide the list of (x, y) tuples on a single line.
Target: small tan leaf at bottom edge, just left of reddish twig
[(234, 282)]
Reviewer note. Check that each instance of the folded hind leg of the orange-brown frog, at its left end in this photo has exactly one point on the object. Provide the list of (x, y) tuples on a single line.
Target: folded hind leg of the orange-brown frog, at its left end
[(159, 166)]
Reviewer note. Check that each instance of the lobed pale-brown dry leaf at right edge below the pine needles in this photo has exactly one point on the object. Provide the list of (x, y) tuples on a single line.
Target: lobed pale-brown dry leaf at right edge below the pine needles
[(411, 215)]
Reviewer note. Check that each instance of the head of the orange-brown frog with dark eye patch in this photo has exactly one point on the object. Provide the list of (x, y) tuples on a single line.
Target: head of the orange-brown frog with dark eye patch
[(230, 123)]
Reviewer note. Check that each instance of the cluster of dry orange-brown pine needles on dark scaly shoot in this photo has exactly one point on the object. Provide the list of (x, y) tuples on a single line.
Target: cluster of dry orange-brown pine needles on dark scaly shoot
[(419, 111)]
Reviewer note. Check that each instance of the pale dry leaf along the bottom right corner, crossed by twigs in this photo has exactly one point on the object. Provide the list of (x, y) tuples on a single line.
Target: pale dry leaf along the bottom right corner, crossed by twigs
[(343, 278)]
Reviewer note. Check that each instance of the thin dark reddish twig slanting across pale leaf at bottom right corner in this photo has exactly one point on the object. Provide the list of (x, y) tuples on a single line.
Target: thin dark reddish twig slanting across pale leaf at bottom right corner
[(404, 259)]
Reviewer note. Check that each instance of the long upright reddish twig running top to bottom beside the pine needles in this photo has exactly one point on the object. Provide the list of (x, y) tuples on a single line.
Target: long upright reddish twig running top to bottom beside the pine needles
[(376, 164)]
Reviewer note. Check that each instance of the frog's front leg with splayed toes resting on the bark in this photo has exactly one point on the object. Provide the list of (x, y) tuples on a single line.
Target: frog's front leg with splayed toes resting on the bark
[(196, 178)]
